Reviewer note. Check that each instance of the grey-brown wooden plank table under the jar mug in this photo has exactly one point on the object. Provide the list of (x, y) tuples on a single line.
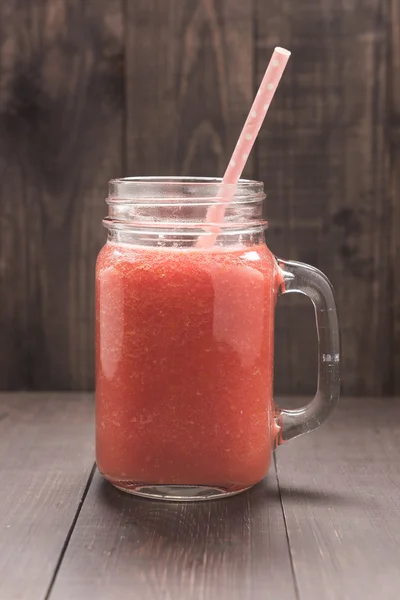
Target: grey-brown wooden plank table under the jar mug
[(324, 525)]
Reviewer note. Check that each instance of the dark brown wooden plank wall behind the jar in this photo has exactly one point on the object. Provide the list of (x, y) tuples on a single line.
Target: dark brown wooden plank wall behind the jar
[(93, 89)]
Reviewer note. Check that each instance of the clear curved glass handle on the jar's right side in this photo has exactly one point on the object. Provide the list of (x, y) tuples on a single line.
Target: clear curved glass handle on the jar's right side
[(304, 279)]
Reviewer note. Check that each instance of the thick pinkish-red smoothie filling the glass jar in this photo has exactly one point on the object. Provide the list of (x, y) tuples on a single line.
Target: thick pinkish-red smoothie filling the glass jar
[(184, 364)]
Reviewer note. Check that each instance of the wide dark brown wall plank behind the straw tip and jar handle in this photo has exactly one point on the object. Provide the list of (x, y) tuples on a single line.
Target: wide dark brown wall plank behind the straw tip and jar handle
[(324, 156)]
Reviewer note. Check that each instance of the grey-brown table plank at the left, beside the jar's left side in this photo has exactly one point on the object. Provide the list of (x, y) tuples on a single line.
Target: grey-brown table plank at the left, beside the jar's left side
[(46, 456)]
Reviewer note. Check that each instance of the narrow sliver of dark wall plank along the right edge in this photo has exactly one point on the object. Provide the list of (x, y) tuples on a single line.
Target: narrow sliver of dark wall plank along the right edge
[(394, 126)]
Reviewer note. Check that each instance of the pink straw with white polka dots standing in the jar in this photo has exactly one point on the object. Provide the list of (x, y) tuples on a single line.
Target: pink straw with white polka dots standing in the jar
[(255, 119)]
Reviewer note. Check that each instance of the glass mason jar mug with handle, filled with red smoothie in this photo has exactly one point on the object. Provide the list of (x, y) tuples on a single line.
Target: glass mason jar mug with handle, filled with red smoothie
[(184, 341)]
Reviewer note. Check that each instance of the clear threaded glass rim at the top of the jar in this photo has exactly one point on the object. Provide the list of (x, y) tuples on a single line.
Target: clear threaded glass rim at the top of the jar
[(183, 201)]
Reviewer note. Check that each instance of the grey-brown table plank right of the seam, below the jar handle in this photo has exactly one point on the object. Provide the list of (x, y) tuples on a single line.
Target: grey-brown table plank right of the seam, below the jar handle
[(340, 489)]
